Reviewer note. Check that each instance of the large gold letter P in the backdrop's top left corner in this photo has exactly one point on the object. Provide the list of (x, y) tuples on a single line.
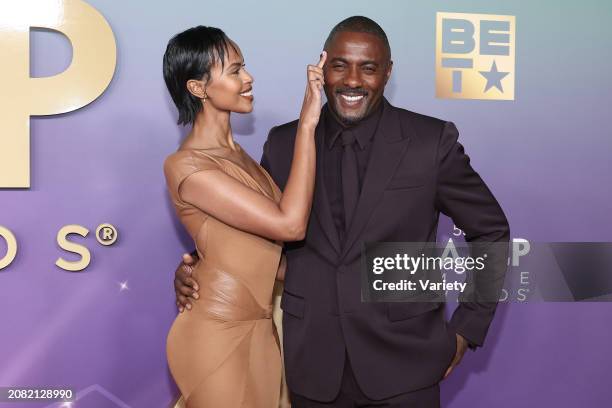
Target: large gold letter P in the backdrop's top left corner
[(91, 70)]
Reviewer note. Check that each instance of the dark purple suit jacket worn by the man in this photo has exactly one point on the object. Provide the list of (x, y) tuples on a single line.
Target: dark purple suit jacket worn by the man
[(417, 169)]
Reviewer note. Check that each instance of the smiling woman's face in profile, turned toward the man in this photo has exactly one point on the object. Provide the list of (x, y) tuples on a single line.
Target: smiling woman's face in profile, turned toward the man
[(230, 88)]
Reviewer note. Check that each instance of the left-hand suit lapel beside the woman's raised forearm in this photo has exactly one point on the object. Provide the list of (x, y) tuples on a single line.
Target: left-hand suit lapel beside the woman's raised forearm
[(321, 205)]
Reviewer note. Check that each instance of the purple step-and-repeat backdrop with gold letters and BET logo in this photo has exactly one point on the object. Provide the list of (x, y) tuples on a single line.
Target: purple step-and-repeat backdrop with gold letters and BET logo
[(88, 236)]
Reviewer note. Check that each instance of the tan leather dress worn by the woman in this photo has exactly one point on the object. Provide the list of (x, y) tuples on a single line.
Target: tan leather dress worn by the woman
[(225, 352)]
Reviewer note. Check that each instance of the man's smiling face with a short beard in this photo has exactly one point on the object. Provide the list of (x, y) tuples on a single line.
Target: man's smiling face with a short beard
[(356, 72)]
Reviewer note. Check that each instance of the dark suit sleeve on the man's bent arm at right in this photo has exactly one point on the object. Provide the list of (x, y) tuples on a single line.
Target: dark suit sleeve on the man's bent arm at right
[(463, 196)]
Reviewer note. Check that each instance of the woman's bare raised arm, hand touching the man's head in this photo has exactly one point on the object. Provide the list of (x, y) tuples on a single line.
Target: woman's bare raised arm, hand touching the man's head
[(228, 200)]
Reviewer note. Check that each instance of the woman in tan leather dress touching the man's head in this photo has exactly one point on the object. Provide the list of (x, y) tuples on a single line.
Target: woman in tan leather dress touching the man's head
[(225, 353)]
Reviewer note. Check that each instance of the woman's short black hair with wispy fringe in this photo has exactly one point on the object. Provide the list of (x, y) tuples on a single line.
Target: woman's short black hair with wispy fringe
[(191, 55)]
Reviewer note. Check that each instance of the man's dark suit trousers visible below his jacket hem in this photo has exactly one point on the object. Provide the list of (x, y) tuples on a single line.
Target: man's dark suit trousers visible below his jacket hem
[(351, 396)]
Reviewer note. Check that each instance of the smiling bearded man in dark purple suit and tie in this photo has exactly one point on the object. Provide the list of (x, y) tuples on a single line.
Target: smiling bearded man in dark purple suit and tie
[(383, 174)]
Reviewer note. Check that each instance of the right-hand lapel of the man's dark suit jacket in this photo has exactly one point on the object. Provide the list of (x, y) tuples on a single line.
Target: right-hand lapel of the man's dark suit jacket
[(389, 147)]
